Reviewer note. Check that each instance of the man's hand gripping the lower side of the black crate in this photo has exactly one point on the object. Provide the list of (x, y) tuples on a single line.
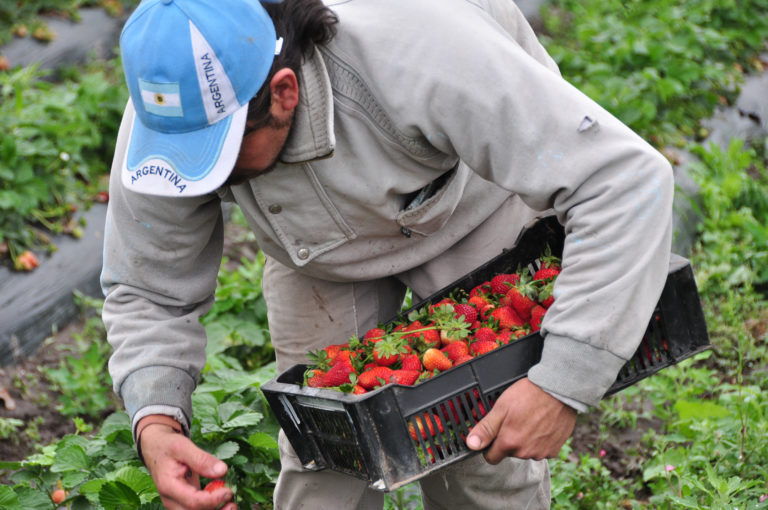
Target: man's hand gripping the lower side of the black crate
[(525, 422)]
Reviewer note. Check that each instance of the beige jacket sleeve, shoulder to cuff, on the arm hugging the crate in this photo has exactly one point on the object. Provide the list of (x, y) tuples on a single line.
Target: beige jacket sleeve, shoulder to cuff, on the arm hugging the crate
[(479, 92)]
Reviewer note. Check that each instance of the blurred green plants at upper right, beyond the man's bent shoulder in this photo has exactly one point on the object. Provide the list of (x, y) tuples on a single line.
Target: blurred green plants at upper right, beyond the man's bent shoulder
[(659, 66)]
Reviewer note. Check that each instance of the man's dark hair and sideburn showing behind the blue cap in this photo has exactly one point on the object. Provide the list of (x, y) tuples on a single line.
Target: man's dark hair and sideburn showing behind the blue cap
[(302, 24)]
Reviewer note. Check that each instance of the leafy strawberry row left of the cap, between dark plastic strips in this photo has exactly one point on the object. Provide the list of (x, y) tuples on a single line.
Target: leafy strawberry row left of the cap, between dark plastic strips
[(56, 142)]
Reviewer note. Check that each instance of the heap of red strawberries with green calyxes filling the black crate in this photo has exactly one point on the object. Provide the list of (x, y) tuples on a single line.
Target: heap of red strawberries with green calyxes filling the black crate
[(437, 337)]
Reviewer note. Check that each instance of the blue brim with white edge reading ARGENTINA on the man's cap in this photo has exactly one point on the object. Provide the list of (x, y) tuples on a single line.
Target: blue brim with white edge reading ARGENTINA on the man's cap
[(183, 164)]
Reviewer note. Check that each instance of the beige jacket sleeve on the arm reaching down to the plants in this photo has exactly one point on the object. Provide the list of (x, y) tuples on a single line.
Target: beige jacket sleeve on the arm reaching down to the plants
[(161, 260)]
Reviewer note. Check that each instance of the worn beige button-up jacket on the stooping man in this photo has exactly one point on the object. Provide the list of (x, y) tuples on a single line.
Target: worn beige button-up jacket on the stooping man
[(455, 92)]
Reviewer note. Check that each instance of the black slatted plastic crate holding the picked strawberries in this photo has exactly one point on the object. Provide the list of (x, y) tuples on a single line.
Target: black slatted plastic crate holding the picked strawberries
[(368, 436)]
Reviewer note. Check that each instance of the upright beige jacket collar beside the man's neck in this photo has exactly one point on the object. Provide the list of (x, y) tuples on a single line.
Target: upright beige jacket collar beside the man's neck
[(312, 132)]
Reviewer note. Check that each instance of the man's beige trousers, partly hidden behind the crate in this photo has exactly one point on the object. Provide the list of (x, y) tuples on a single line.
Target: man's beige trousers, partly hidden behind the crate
[(307, 313)]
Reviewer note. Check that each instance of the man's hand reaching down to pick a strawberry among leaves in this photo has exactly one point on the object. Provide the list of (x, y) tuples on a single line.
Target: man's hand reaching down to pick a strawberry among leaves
[(176, 465)]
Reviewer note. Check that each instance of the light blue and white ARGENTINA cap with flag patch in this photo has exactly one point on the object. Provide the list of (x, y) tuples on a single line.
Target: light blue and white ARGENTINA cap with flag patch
[(191, 67)]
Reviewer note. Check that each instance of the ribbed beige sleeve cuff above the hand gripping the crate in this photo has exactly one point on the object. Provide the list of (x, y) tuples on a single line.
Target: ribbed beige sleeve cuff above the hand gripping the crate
[(575, 370)]
